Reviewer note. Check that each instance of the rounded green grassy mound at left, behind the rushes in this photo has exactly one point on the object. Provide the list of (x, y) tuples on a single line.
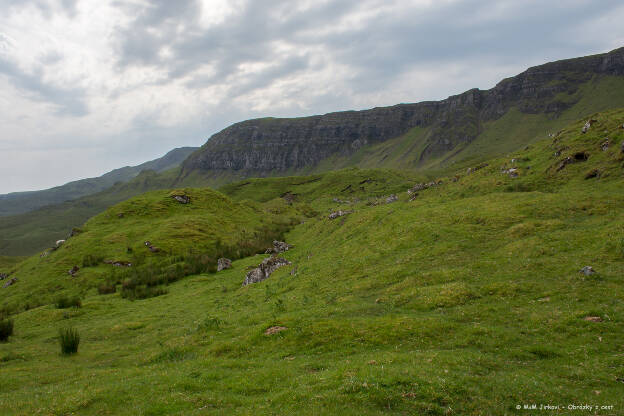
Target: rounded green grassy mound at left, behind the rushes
[(176, 229)]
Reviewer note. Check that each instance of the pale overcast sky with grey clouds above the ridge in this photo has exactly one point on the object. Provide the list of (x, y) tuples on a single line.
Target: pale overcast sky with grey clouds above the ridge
[(87, 86)]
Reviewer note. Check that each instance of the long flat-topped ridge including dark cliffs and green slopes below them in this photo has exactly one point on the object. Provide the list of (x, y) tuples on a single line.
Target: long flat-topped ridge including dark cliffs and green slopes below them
[(422, 136)]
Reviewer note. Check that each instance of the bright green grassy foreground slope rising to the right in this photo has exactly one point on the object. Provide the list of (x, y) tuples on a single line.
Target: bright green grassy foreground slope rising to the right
[(467, 300)]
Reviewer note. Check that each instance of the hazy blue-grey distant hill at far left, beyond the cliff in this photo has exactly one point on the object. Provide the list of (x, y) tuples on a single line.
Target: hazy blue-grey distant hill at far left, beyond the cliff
[(20, 202)]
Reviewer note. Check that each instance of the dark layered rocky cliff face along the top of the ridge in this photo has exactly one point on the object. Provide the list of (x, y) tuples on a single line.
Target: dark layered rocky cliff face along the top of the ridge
[(269, 146)]
